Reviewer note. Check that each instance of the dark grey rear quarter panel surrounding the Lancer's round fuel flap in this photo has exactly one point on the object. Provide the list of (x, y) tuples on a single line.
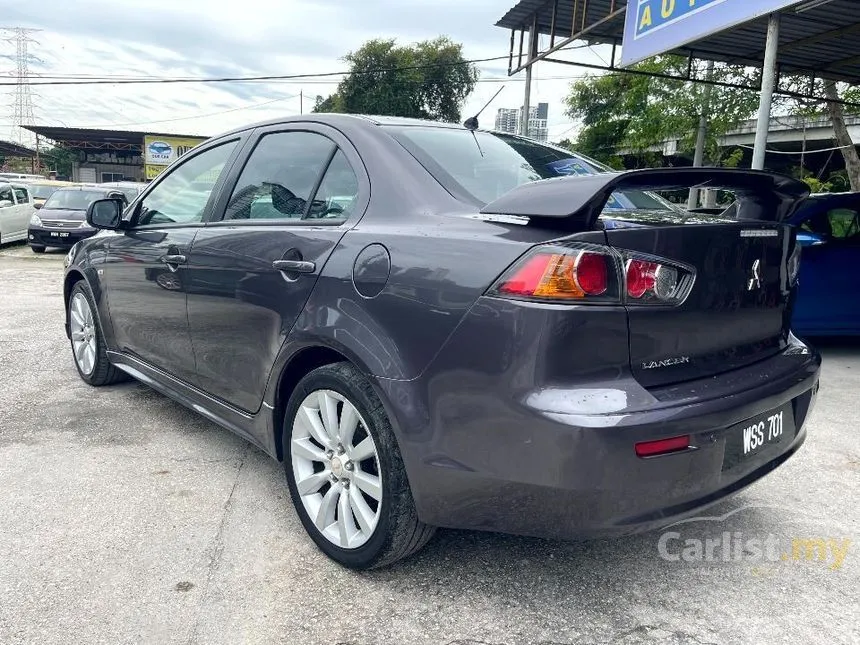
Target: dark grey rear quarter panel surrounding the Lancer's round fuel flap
[(440, 265)]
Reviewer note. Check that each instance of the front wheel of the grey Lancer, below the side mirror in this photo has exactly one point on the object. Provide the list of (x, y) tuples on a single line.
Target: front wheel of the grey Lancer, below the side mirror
[(88, 345)]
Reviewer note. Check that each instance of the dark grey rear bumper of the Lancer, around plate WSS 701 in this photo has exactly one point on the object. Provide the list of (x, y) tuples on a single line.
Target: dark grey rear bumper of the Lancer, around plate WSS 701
[(560, 461)]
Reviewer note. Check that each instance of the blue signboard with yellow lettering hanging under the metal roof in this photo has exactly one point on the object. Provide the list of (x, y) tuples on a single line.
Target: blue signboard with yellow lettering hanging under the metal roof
[(654, 27)]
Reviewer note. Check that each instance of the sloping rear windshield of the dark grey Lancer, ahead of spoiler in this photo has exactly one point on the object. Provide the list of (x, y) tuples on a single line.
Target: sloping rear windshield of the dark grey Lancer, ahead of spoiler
[(489, 164)]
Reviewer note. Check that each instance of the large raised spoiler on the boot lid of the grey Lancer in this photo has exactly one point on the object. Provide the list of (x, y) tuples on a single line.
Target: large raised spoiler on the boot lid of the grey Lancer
[(575, 202)]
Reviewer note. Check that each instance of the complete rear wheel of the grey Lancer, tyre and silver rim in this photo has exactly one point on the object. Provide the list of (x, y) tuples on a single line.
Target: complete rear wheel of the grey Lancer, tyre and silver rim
[(345, 472)]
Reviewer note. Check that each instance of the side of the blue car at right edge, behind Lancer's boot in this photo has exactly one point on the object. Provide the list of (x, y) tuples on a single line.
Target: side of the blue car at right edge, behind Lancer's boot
[(828, 298)]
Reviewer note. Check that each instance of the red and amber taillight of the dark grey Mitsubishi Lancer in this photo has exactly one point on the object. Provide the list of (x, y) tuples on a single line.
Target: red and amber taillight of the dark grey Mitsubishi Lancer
[(591, 274)]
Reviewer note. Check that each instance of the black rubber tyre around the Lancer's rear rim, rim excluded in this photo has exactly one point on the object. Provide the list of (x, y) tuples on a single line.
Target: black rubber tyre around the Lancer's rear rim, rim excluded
[(399, 532)]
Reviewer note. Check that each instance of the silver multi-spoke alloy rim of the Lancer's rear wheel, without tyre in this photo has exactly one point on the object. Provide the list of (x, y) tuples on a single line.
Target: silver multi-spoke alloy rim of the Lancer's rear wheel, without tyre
[(336, 468)]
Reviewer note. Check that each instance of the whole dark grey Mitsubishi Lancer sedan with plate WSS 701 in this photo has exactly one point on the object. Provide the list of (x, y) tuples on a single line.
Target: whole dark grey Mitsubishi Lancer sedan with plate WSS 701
[(430, 327)]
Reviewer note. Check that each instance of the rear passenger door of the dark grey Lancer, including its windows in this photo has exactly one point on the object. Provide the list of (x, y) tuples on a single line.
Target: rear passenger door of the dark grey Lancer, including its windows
[(253, 270)]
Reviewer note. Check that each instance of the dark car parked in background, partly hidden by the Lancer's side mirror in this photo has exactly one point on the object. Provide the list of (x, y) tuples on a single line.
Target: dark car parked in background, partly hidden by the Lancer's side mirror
[(61, 220)]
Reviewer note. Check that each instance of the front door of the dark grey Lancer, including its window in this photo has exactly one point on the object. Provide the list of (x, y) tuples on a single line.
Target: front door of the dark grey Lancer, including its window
[(145, 271)]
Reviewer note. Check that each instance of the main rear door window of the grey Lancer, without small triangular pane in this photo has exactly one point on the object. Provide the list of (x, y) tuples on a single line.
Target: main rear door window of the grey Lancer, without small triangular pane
[(280, 177)]
